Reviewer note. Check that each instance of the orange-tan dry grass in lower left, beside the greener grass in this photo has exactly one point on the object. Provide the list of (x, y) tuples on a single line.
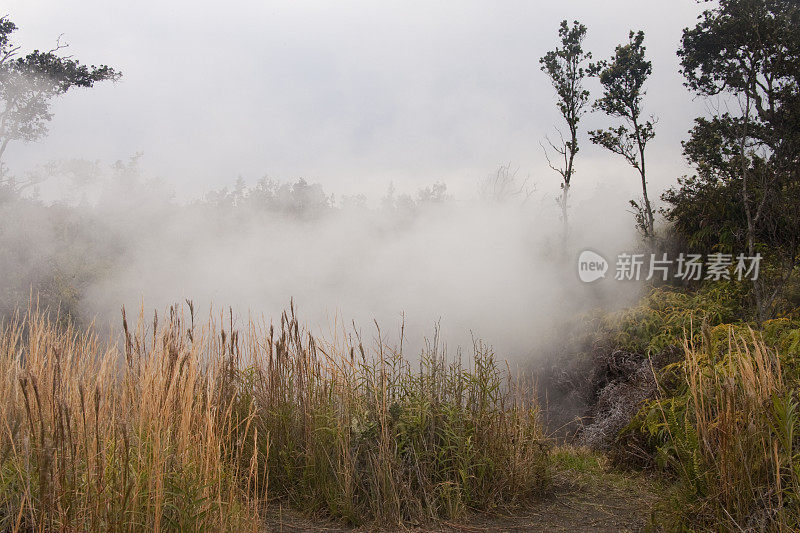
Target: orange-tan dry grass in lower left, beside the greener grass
[(98, 440)]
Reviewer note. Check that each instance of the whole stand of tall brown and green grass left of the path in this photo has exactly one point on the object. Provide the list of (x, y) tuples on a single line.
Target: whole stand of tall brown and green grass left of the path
[(184, 428)]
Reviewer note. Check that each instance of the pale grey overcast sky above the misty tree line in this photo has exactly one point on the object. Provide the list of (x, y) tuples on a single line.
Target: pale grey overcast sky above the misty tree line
[(353, 95)]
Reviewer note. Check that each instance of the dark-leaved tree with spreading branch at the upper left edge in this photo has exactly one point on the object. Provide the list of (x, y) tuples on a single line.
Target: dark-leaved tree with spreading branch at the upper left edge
[(28, 84)]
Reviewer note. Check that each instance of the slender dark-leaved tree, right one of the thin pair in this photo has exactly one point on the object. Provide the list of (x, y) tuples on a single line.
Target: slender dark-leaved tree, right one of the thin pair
[(623, 78)]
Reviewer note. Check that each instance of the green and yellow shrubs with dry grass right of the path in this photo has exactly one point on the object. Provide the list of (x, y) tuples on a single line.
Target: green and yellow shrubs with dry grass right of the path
[(683, 385)]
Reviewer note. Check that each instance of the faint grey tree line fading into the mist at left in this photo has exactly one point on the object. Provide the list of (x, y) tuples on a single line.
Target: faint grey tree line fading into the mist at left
[(56, 252)]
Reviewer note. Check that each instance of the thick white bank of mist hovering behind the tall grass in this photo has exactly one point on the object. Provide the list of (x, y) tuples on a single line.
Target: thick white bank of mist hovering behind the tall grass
[(493, 265)]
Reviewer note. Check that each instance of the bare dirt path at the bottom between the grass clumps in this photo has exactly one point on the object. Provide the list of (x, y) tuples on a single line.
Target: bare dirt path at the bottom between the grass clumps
[(587, 495)]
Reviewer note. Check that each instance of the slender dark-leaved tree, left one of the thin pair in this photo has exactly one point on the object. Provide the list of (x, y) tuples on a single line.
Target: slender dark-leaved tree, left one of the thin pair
[(565, 68)]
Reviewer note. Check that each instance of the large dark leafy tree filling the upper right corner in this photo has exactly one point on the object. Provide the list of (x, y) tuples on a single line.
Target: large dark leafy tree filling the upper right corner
[(744, 55)]
